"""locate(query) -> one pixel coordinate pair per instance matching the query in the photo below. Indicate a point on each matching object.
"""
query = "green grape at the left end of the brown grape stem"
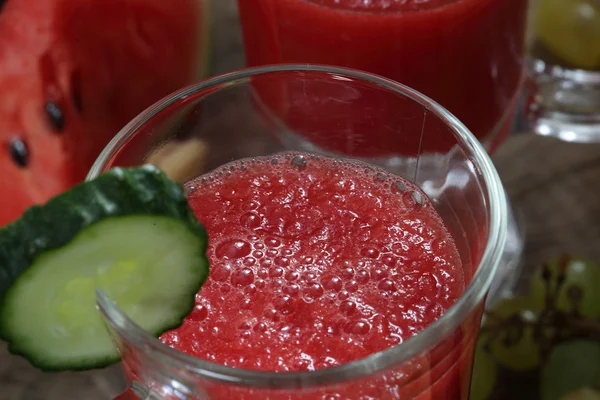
(514, 347)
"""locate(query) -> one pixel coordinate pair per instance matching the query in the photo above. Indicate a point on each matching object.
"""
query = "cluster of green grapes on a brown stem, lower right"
(548, 339)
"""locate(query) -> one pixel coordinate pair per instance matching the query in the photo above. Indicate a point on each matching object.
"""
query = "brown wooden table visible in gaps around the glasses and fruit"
(554, 186)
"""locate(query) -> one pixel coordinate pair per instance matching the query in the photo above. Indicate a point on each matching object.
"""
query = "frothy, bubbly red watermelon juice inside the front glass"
(317, 262)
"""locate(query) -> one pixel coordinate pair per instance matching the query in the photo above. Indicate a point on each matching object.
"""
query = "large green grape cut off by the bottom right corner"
(571, 366)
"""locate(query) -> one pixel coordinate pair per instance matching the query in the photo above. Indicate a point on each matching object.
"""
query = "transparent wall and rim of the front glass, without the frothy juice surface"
(222, 119)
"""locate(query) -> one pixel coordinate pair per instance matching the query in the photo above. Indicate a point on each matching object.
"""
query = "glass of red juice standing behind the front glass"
(468, 55)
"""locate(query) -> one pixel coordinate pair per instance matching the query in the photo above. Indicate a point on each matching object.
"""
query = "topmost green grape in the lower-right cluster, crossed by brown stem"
(582, 280)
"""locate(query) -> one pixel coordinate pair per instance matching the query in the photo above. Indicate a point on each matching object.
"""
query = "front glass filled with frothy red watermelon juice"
(331, 277)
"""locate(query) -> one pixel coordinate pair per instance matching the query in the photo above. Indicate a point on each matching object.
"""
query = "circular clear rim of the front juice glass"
(473, 295)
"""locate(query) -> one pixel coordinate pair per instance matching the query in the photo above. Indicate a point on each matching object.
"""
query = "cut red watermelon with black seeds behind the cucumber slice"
(74, 72)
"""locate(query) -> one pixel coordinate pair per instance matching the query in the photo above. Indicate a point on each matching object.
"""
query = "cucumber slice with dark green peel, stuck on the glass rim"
(131, 233)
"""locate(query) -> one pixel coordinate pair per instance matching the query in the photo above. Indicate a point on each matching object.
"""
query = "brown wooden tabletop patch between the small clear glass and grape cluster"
(555, 189)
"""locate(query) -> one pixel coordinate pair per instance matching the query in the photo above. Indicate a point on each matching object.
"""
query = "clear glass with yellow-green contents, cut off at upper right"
(564, 69)
